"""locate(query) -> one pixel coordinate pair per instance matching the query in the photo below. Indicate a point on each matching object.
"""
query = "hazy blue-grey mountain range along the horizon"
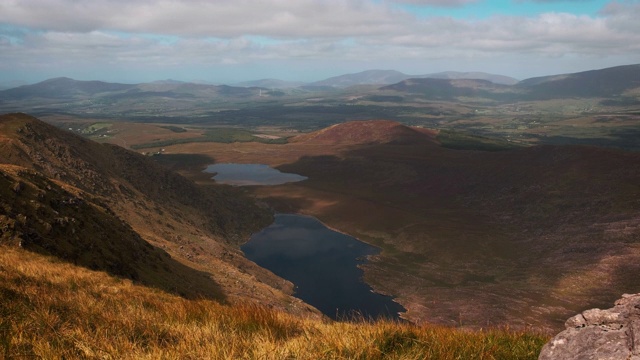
(616, 85)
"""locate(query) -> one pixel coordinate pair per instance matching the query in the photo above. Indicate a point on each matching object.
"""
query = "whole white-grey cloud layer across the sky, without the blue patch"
(172, 33)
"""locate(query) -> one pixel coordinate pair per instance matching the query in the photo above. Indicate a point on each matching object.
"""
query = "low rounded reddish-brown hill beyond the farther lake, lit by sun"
(367, 132)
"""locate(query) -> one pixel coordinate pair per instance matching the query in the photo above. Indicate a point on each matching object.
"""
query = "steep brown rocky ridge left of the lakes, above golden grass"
(110, 209)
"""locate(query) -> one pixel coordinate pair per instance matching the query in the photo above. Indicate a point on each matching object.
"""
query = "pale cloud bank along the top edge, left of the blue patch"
(222, 18)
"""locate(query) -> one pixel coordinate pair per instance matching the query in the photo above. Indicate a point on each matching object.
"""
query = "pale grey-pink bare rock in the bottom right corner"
(610, 334)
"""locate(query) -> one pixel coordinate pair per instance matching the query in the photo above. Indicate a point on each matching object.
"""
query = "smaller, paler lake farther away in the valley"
(250, 174)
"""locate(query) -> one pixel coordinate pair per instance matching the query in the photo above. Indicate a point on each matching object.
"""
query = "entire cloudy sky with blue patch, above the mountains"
(228, 41)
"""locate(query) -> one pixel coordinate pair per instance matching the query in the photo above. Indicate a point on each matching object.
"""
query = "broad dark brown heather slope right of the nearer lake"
(522, 236)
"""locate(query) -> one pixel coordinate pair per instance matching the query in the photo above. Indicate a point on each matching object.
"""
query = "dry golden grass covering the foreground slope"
(54, 310)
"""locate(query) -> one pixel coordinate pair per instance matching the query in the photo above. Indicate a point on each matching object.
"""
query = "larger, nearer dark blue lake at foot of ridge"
(323, 264)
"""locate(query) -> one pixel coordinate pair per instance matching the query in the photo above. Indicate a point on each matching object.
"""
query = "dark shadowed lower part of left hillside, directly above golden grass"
(40, 216)
